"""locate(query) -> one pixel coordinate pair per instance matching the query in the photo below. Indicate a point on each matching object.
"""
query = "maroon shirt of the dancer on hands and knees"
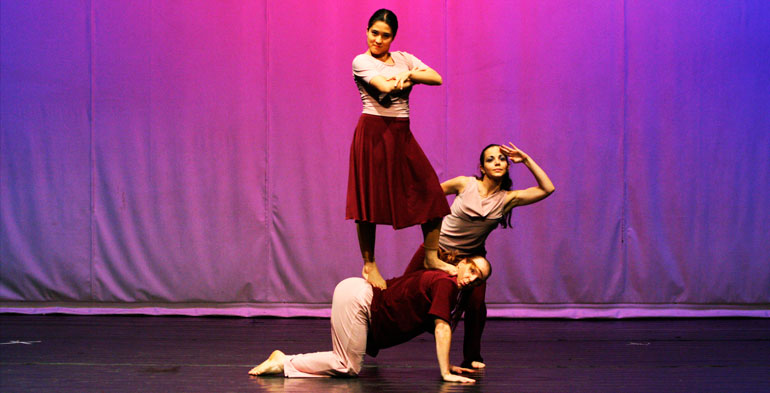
(409, 307)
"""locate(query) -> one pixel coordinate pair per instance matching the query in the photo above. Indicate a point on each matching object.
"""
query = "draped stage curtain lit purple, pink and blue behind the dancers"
(191, 157)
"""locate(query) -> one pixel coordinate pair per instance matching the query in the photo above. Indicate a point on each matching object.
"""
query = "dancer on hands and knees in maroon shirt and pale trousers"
(366, 319)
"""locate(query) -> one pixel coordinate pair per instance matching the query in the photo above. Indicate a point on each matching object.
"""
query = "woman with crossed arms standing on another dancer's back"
(390, 180)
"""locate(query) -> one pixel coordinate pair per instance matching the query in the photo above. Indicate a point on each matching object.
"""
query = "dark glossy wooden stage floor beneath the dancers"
(64, 353)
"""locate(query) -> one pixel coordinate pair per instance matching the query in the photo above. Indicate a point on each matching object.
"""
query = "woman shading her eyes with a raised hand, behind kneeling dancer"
(481, 205)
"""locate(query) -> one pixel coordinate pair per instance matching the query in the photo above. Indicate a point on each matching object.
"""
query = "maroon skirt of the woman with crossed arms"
(391, 180)
